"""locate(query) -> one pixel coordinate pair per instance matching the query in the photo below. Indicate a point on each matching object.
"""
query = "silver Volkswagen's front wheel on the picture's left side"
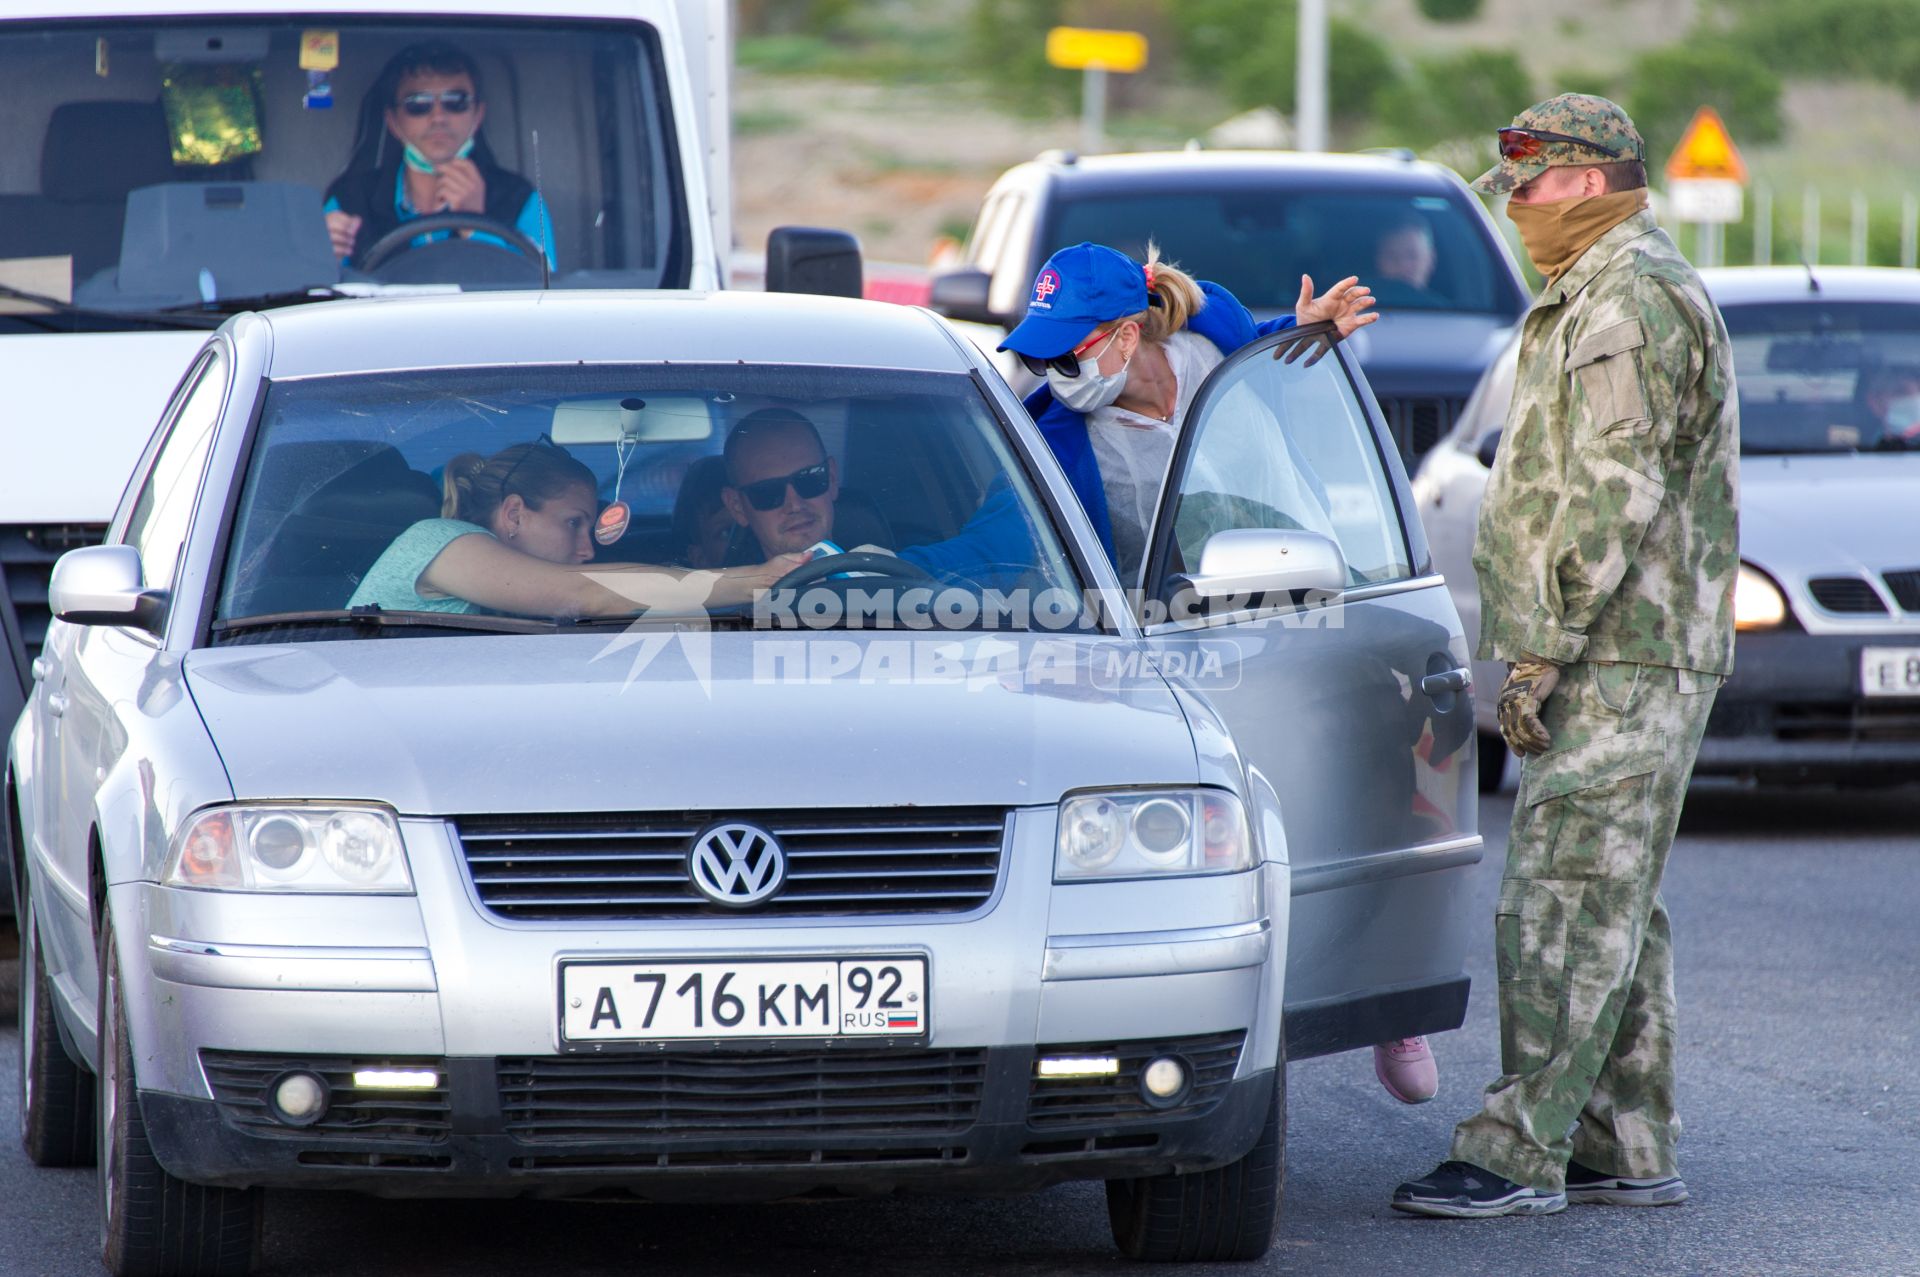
(153, 1224)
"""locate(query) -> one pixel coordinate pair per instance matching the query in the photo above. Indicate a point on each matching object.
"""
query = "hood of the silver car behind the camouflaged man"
(1823, 516)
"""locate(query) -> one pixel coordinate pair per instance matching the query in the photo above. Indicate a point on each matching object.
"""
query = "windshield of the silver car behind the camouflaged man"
(1823, 377)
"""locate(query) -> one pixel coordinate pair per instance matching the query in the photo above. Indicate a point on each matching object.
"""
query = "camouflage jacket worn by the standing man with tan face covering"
(1610, 523)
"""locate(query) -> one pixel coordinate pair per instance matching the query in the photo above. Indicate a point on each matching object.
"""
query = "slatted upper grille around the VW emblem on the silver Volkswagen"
(635, 867)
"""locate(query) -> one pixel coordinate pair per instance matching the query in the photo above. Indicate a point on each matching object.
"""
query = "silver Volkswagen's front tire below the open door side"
(1224, 1215)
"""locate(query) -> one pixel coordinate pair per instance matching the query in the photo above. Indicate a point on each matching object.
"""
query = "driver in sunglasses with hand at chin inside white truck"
(421, 153)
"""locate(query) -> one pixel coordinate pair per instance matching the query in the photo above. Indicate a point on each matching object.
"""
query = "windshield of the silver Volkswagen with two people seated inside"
(358, 483)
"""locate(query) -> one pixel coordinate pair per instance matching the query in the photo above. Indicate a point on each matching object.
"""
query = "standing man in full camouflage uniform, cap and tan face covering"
(1606, 556)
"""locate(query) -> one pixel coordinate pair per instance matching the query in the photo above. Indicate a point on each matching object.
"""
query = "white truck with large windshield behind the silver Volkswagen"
(172, 162)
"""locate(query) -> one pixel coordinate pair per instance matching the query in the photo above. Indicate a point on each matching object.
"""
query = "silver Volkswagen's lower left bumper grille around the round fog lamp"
(241, 1082)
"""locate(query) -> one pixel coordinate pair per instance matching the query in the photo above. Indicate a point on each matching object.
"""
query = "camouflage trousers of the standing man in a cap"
(1581, 938)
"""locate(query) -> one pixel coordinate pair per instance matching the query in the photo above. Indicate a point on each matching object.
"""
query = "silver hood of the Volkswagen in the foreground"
(552, 723)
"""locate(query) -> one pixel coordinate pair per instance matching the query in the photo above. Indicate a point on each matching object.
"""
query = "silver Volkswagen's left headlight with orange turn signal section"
(291, 850)
